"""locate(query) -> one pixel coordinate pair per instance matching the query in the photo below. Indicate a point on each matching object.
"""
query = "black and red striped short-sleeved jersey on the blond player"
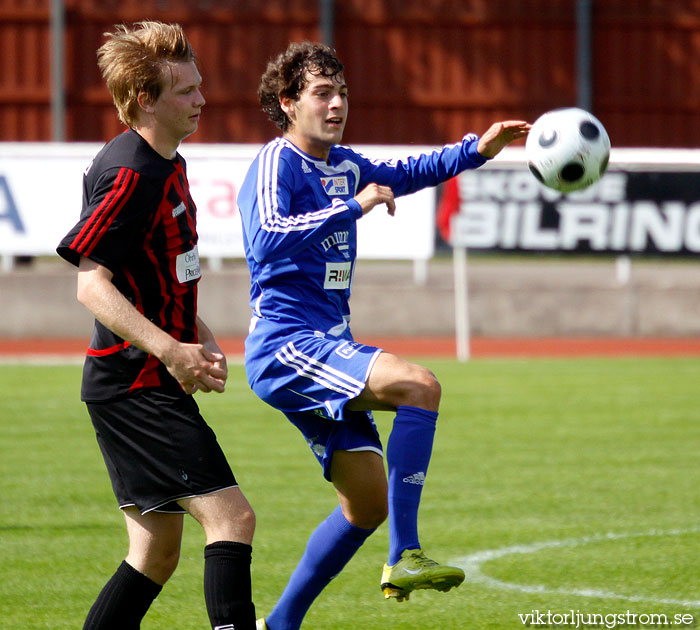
(138, 220)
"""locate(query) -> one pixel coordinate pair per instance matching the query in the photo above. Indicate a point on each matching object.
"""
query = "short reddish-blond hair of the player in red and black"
(136, 59)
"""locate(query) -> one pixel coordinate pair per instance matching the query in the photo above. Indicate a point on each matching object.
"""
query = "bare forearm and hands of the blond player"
(192, 365)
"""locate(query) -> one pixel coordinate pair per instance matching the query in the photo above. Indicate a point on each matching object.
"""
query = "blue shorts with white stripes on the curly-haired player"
(311, 378)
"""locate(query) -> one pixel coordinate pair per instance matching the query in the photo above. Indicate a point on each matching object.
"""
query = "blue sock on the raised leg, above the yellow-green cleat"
(408, 455)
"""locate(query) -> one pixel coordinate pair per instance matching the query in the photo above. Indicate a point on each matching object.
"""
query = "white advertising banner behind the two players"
(41, 188)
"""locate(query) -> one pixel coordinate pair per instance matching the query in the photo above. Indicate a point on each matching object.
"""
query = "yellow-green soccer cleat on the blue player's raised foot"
(416, 571)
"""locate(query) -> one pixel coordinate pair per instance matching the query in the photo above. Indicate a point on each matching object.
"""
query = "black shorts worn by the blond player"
(158, 449)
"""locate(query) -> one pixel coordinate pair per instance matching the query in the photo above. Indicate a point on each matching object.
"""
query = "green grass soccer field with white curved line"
(579, 480)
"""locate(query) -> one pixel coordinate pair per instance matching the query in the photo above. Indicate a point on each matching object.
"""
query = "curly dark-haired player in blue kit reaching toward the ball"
(300, 203)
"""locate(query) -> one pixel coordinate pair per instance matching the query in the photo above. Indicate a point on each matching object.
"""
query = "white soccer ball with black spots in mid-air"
(567, 149)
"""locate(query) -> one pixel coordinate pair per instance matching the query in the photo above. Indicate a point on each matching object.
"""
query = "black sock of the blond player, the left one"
(123, 601)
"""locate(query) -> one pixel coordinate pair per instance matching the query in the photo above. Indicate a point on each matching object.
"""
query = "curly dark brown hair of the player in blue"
(286, 76)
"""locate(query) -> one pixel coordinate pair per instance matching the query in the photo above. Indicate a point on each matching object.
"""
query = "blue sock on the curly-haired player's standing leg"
(329, 549)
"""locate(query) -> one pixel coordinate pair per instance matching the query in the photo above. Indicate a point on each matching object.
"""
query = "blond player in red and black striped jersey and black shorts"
(136, 248)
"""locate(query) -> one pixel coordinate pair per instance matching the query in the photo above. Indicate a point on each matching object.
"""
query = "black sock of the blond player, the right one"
(227, 589)
